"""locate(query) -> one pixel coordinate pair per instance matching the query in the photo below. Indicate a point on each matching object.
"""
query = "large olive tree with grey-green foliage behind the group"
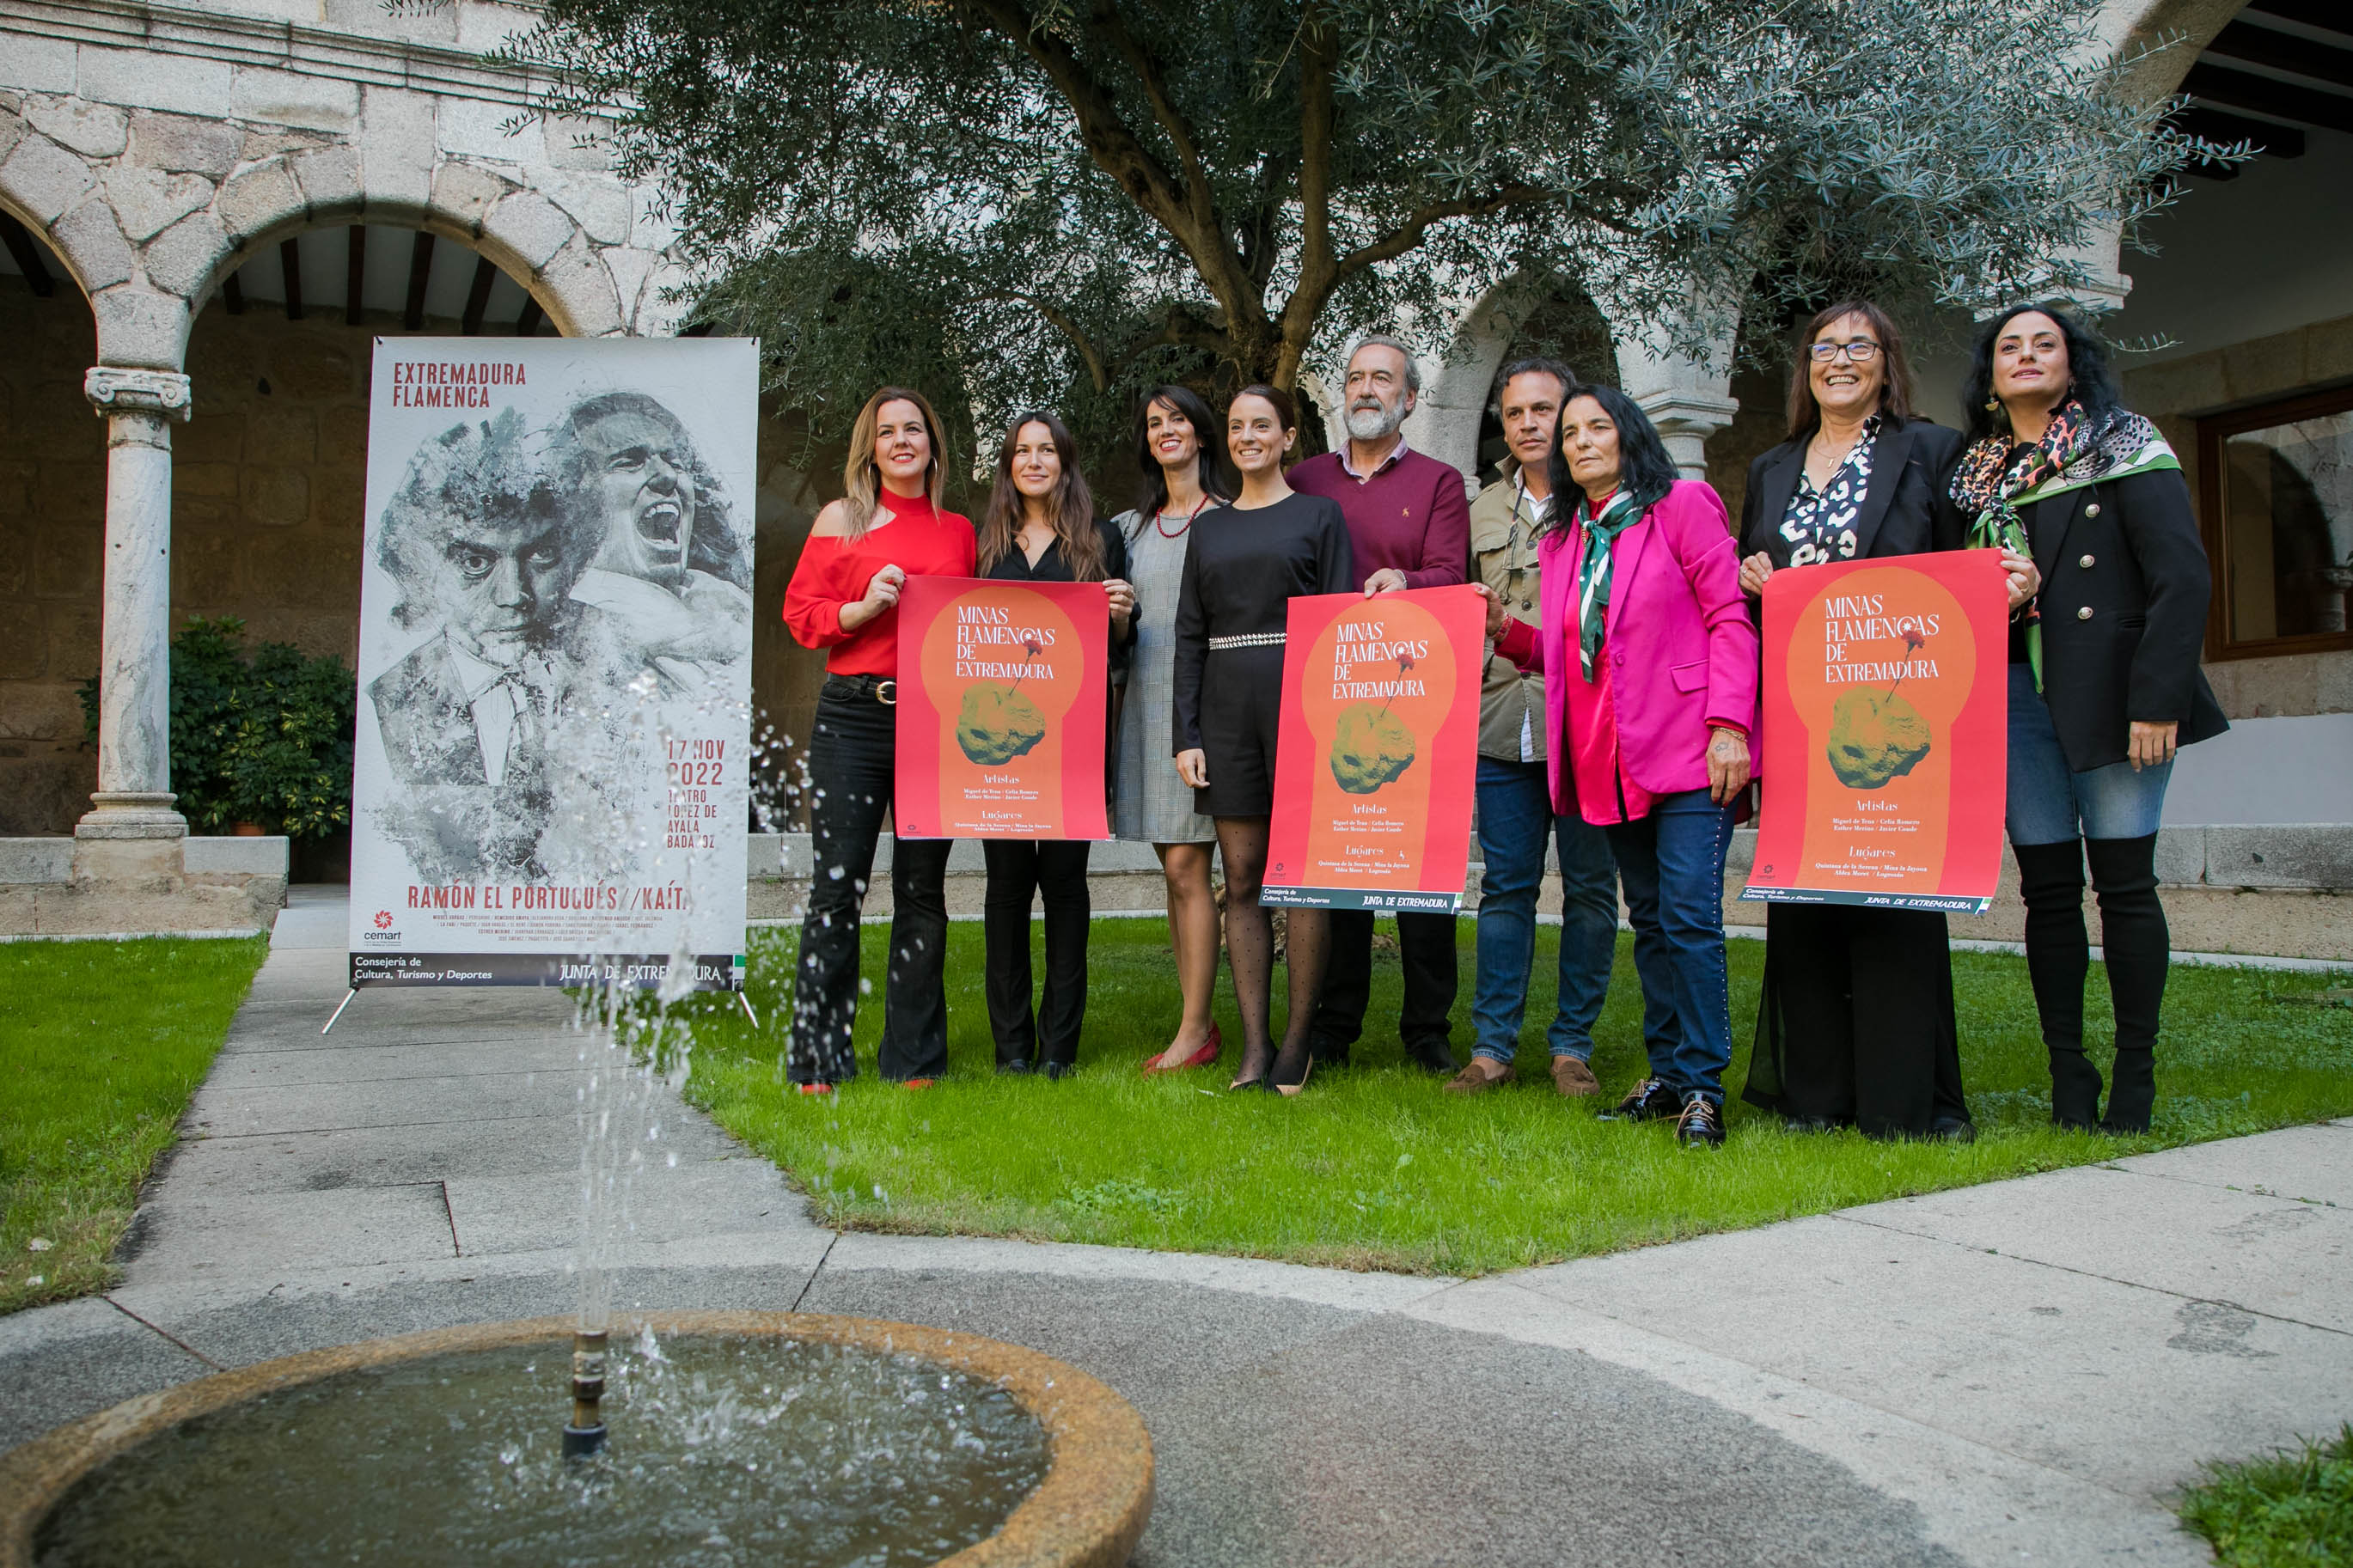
(1065, 199)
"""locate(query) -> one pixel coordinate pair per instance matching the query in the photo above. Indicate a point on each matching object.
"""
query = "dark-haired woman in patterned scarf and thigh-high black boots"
(2105, 678)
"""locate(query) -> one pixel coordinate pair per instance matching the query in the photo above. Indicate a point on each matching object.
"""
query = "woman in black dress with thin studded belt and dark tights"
(1241, 572)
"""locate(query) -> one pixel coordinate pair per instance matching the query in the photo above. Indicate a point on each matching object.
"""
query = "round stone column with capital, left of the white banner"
(135, 669)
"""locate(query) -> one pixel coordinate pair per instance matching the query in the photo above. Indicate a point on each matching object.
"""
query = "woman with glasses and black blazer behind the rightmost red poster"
(1858, 1014)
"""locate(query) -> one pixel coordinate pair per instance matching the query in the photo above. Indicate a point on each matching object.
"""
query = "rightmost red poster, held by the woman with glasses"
(1886, 735)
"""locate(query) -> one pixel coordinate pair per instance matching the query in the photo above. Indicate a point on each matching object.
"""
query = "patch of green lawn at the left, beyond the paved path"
(100, 1050)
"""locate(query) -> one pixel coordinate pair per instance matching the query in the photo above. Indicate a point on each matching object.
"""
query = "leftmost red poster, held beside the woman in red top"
(1004, 711)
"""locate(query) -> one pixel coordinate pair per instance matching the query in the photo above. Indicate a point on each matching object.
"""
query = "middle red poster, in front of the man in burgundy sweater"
(1378, 751)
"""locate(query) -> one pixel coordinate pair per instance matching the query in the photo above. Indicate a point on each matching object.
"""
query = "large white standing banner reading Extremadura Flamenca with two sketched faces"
(554, 737)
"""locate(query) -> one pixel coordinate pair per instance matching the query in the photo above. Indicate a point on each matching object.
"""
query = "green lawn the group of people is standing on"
(1380, 1170)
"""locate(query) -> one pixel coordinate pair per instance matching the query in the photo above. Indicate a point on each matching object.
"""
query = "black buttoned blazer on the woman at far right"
(2126, 596)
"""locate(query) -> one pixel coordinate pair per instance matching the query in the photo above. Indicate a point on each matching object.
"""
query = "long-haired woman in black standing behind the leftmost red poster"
(1041, 528)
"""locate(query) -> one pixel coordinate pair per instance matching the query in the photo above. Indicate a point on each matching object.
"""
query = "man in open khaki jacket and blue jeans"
(1514, 796)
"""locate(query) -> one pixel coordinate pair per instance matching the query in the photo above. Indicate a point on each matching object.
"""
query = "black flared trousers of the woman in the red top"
(851, 772)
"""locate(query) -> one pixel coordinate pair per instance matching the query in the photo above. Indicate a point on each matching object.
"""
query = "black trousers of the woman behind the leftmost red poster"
(1020, 869)
